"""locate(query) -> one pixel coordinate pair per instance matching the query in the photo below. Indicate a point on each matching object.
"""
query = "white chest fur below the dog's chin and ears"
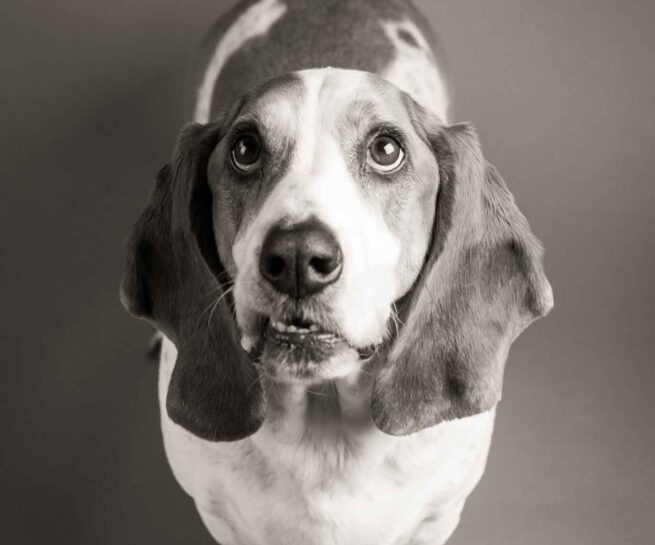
(309, 478)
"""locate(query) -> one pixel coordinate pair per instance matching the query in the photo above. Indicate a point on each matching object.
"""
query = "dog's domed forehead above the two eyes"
(326, 97)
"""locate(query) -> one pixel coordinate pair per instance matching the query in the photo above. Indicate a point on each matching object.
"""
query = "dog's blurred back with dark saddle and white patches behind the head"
(260, 39)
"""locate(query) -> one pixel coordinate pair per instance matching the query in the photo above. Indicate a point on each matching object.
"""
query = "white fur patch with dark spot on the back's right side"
(414, 68)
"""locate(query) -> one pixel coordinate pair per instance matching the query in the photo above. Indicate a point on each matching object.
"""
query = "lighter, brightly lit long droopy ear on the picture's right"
(481, 285)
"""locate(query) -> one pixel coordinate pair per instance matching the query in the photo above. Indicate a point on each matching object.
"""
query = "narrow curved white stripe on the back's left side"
(253, 22)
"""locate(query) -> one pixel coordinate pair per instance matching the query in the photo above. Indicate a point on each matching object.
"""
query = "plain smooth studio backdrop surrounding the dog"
(93, 95)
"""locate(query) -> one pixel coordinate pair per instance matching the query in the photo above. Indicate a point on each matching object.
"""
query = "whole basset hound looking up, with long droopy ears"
(337, 275)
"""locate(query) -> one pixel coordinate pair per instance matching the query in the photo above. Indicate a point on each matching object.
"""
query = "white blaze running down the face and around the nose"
(318, 183)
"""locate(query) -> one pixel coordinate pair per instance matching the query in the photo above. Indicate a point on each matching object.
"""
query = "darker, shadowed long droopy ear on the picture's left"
(173, 276)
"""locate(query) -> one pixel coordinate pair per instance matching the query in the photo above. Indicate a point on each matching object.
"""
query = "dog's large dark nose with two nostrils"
(300, 259)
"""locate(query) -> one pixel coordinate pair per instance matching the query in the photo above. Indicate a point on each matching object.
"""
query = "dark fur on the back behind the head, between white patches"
(311, 35)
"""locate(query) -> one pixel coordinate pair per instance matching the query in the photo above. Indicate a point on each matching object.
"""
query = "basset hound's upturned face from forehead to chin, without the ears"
(324, 188)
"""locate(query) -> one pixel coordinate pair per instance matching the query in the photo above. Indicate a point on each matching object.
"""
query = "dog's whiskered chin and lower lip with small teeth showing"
(303, 353)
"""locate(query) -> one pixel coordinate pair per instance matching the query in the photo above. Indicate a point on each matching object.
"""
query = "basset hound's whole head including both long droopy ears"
(325, 216)
